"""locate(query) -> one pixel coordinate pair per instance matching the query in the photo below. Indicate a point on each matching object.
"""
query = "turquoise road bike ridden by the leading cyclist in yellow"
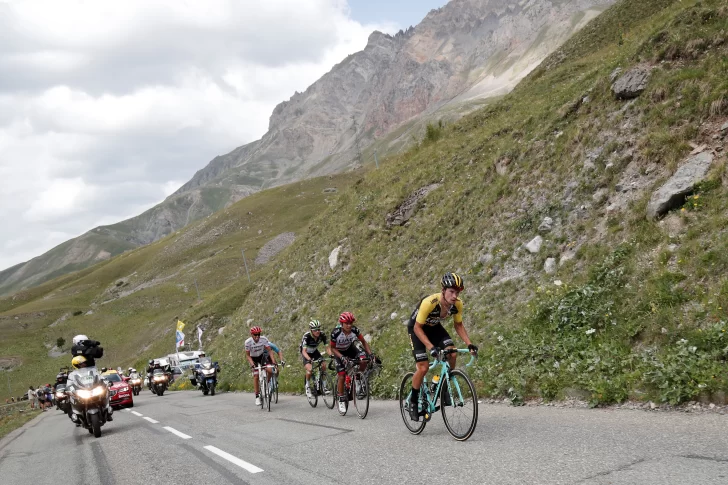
(455, 392)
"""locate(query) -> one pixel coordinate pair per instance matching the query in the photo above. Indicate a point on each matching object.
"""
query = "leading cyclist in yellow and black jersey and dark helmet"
(427, 334)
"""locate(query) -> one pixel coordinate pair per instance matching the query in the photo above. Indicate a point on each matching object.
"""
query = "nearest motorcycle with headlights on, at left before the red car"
(89, 401)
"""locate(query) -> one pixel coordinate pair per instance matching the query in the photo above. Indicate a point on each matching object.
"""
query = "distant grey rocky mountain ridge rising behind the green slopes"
(464, 51)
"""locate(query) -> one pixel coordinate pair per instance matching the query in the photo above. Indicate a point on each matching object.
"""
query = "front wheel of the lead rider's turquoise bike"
(459, 405)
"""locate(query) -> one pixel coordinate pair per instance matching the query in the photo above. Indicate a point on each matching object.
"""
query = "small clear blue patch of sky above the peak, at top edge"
(402, 12)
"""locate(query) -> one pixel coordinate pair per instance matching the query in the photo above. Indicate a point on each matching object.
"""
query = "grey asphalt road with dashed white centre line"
(187, 438)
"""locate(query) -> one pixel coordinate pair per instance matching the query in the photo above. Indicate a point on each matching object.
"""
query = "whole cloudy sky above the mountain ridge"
(107, 107)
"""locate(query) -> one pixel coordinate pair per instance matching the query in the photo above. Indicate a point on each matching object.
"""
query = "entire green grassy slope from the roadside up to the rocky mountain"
(634, 309)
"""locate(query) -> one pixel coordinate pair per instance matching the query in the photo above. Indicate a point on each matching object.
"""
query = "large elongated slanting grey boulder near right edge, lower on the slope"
(672, 193)
